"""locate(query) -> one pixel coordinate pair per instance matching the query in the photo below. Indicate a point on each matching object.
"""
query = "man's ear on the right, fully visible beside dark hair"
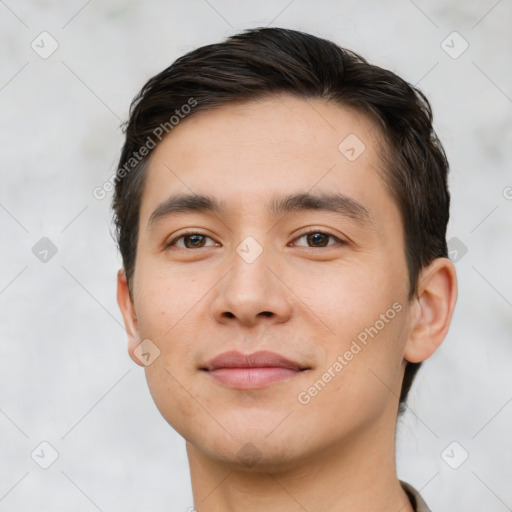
(433, 304)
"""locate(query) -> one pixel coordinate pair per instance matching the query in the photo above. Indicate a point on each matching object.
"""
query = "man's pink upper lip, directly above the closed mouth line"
(261, 359)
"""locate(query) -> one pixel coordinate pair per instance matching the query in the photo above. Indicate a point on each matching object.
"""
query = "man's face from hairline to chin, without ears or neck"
(324, 288)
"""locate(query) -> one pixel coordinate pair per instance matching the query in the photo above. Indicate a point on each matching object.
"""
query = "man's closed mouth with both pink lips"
(251, 371)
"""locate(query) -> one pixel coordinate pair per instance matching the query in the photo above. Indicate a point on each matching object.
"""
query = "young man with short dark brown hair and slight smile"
(281, 209)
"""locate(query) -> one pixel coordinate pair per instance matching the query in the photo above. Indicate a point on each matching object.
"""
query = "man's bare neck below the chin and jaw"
(358, 474)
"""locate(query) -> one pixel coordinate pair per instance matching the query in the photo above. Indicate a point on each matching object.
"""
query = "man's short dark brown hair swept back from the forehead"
(264, 61)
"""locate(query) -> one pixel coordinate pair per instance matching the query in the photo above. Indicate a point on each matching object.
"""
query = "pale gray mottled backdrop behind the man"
(66, 377)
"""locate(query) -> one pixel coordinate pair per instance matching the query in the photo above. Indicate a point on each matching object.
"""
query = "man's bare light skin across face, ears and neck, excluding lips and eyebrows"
(304, 297)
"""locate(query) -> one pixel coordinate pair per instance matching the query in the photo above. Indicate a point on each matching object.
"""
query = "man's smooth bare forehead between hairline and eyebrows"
(246, 152)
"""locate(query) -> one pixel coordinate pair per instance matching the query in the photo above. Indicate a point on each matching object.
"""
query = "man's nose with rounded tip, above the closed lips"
(252, 293)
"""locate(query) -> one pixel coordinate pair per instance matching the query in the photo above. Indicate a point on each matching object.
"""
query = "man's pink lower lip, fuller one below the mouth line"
(251, 378)
